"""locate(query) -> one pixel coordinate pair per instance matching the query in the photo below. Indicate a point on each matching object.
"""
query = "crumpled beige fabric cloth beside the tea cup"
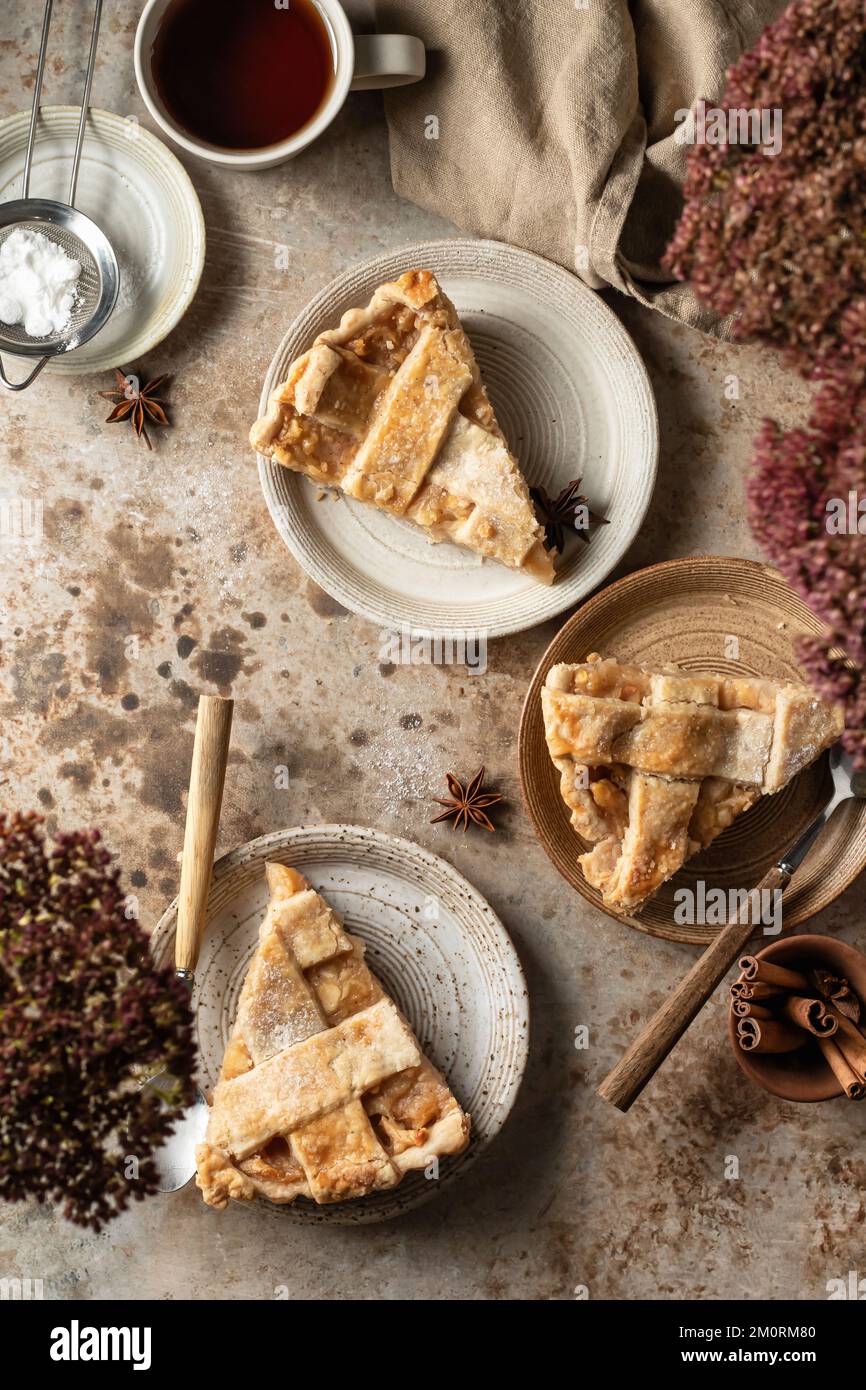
(555, 123)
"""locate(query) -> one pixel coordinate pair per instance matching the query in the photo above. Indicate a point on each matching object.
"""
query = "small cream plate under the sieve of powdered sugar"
(138, 193)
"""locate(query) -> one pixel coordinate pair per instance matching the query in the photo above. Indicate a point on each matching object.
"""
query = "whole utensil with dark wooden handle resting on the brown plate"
(625, 1084)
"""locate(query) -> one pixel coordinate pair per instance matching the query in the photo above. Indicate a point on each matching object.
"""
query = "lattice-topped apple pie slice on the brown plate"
(654, 765)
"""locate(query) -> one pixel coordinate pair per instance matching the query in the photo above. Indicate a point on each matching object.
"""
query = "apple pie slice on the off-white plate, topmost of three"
(391, 408)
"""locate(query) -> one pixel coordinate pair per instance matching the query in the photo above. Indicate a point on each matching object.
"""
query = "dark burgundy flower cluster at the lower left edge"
(81, 1006)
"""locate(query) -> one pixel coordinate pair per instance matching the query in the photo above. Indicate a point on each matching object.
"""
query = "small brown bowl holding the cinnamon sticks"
(803, 1075)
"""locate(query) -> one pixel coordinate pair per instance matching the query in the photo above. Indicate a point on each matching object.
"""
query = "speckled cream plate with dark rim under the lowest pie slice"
(432, 939)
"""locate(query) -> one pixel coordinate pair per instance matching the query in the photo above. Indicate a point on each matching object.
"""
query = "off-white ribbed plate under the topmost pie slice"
(573, 400)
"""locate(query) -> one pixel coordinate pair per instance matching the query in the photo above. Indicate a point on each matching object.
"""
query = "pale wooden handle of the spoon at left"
(206, 779)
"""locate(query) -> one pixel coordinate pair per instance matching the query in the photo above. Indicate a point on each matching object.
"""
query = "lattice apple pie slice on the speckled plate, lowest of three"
(325, 1092)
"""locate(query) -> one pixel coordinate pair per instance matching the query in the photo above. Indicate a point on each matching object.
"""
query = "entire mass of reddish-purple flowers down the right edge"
(779, 243)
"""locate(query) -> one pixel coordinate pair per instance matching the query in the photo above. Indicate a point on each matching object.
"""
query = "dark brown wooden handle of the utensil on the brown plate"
(625, 1084)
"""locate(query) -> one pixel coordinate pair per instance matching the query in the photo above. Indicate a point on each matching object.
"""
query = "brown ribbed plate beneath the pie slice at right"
(697, 614)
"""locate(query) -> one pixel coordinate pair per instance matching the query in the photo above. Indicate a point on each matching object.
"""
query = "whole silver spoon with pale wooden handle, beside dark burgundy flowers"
(176, 1159)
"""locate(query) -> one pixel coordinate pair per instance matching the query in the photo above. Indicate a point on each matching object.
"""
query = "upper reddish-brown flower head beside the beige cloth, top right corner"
(779, 241)
